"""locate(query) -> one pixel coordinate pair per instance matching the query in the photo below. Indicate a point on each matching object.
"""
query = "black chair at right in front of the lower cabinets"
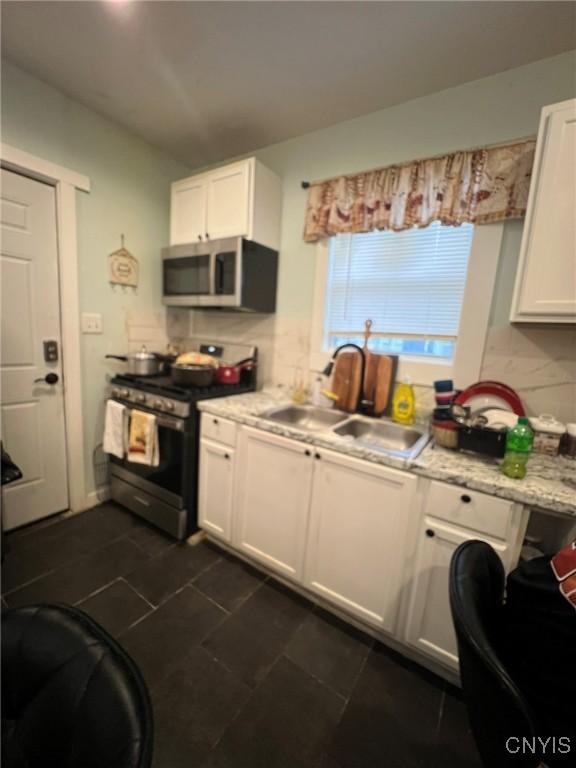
(496, 708)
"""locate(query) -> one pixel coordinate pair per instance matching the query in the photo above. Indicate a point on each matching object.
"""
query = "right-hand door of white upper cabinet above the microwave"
(228, 201)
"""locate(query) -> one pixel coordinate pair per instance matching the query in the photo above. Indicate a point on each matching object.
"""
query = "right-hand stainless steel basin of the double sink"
(385, 436)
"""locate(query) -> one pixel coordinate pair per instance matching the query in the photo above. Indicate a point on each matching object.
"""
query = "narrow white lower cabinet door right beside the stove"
(215, 492)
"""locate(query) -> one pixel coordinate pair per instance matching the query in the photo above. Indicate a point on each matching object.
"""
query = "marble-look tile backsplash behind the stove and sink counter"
(540, 363)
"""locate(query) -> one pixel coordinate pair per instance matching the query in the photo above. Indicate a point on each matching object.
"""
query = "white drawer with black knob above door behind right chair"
(469, 509)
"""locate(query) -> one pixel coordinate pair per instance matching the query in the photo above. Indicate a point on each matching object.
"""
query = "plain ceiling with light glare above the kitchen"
(209, 80)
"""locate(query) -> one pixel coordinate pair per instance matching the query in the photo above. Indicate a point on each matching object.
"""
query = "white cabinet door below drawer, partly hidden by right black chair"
(430, 627)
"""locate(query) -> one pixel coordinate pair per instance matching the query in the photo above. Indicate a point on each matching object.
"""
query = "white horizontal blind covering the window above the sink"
(409, 283)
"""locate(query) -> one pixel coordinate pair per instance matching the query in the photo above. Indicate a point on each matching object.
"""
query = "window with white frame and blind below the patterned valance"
(427, 291)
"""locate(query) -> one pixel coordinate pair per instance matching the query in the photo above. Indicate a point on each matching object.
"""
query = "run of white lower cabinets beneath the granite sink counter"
(374, 542)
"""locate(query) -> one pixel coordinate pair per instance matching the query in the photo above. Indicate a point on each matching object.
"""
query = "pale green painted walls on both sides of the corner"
(130, 184)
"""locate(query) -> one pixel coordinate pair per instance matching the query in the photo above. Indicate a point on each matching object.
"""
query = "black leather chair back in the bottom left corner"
(71, 696)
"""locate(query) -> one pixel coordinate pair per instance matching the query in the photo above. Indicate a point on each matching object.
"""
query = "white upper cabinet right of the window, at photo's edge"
(545, 290)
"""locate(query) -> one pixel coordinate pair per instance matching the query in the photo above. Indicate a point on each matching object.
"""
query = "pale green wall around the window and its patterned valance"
(495, 109)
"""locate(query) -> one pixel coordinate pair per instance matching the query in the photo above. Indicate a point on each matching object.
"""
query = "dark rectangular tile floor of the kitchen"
(242, 672)
